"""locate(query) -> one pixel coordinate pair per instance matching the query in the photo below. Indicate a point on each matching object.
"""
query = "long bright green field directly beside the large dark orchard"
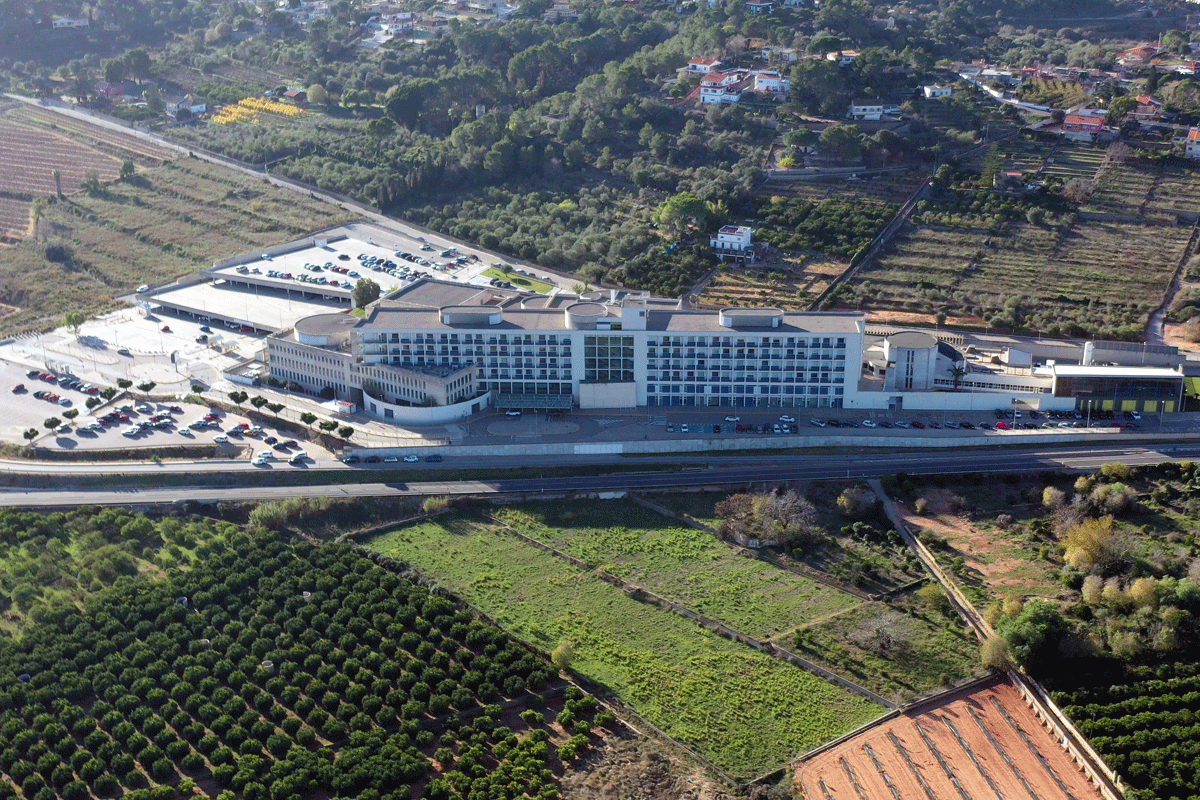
(746, 712)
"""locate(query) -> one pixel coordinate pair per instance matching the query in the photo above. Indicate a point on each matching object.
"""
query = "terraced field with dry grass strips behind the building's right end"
(1055, 280)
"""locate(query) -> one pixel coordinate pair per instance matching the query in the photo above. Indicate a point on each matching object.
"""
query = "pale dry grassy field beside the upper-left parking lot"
(165, 222)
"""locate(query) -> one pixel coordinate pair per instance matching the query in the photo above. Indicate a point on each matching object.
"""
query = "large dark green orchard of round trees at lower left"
(274, 671)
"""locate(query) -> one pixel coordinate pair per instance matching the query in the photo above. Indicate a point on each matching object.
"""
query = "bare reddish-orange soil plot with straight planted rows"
(962, 749)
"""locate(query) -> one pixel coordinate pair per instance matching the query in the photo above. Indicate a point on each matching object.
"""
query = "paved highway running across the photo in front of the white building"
(698, 472)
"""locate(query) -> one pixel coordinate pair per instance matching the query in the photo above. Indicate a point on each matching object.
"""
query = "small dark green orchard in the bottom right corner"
(1145, 721)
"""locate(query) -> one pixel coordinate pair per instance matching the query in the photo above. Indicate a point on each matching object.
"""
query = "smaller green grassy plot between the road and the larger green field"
(681, 563)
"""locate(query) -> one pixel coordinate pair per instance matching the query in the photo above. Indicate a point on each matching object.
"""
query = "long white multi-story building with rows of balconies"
(410, 363)
